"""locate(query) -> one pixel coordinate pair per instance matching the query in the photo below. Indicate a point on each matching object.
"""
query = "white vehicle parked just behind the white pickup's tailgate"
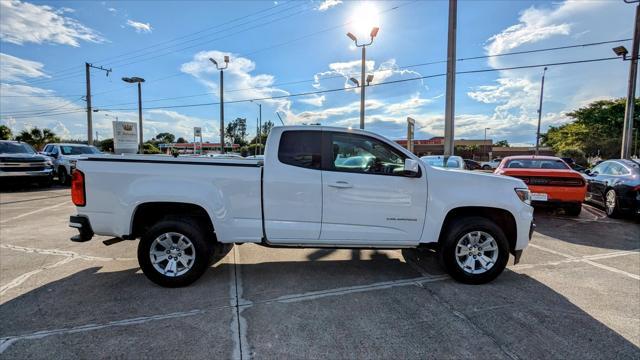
(65, 156)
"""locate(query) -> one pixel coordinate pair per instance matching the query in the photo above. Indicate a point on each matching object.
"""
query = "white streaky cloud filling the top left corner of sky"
(23, 22)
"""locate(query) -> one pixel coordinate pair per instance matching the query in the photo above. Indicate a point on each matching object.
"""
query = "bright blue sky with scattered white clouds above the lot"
(289, 47)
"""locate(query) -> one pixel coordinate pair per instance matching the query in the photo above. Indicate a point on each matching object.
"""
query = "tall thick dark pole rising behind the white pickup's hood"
(449, 111)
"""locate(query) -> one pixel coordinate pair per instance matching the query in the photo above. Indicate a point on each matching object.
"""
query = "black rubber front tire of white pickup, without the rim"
(459, 228)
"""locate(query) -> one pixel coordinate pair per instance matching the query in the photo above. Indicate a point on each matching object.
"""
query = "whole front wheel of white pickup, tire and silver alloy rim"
(474, 250)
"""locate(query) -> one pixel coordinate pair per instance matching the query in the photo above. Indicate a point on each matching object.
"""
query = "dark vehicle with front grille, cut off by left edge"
(20, 164)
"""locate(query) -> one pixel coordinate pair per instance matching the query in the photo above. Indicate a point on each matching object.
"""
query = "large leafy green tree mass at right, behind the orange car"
(596, 129)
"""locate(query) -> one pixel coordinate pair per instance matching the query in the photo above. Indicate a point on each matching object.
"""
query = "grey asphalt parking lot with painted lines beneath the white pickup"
(576, 294)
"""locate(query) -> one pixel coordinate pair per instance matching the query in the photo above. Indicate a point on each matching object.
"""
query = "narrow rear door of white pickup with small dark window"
(292, 188)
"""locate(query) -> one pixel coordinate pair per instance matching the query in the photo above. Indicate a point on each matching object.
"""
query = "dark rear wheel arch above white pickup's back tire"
(148, 213)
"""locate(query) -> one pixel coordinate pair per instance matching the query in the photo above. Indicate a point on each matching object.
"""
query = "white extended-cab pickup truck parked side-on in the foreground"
(316, 187)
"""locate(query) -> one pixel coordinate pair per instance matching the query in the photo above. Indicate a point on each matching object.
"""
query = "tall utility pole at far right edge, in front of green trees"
(627, 130)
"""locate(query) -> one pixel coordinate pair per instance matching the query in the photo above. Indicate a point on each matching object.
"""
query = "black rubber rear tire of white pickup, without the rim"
(202, 249)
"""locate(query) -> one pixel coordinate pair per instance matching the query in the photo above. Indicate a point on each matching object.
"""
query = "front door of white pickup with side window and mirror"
(367, 199)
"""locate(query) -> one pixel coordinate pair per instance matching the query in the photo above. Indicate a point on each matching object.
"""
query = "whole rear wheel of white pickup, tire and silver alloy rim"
(174, 253)
